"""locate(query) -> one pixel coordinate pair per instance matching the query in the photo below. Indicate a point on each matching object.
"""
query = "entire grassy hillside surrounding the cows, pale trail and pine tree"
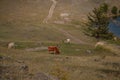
(21, 21)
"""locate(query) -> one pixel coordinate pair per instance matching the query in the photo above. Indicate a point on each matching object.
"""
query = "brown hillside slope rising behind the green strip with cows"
(22, 20)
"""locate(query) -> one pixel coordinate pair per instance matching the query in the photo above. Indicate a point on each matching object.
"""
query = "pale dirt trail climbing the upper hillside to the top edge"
(51, 11)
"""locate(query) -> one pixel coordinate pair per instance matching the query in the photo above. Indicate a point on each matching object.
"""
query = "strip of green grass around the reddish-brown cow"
(65, 48)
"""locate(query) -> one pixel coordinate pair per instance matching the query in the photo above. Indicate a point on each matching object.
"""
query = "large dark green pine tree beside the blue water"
(98, 23)
